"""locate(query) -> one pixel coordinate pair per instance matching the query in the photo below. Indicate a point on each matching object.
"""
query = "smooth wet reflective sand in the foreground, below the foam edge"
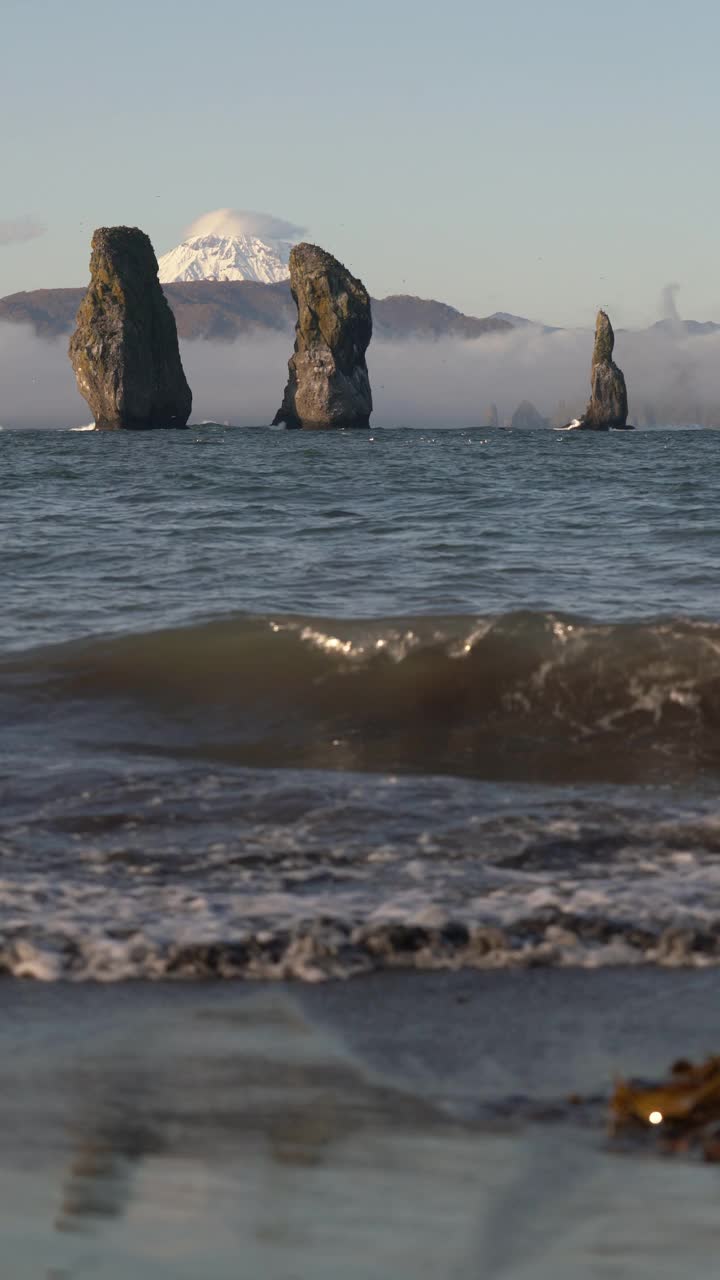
(402, 1126)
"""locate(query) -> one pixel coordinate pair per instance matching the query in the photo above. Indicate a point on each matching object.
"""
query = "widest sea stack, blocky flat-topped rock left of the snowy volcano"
(125, 350)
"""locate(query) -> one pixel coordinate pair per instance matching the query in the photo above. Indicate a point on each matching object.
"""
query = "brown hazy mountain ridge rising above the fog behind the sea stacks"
(224, 310)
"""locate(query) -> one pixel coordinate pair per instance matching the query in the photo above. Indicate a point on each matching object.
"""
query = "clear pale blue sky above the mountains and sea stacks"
(543, 158)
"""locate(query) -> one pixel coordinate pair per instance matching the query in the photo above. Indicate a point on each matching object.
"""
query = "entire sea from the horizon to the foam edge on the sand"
(303, 705)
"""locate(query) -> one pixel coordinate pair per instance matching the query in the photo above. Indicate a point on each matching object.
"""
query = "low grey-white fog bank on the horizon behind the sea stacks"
(672, 378)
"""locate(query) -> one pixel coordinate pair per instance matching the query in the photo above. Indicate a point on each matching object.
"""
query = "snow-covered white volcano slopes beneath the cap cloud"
(227, 258)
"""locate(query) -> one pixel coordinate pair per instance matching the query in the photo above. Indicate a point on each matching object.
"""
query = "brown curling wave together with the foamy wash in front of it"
(299, 798)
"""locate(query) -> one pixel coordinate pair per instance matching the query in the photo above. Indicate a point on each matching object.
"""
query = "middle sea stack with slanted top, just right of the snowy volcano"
(329, 383)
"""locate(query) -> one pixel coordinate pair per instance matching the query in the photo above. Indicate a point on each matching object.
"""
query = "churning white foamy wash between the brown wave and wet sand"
(312, 895)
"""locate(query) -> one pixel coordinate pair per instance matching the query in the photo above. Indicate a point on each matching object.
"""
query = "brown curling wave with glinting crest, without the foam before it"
(536, 697)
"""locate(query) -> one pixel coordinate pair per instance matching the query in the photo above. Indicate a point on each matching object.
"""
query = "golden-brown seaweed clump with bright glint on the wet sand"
(683, 1110)
